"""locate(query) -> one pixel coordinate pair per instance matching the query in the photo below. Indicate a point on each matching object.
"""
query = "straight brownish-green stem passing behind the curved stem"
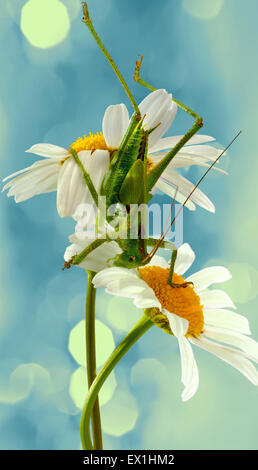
(91, 358)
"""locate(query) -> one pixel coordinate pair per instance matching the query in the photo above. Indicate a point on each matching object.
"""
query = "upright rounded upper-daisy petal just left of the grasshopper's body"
(115, 123)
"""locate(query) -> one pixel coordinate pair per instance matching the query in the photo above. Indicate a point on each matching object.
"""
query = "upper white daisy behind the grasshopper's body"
(59, 172)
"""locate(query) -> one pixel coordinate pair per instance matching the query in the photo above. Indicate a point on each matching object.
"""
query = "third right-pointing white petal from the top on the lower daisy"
(226, 319)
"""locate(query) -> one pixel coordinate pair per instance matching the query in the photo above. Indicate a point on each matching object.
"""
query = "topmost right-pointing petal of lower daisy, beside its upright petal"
(204, 278)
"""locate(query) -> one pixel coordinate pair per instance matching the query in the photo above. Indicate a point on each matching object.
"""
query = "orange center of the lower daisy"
(182, 301)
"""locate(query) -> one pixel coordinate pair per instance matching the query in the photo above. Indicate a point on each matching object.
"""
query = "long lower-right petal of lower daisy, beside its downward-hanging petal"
(232, 357)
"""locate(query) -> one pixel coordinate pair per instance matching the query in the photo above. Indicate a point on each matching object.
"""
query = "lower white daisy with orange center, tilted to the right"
(194, 314)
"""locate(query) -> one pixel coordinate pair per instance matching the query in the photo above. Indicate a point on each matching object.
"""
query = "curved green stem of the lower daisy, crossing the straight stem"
(140, 328)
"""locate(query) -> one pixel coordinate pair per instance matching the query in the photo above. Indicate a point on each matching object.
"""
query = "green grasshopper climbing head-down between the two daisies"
(126, 181)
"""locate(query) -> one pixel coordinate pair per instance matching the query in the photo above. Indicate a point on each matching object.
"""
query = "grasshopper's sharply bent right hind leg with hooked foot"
(158, 169)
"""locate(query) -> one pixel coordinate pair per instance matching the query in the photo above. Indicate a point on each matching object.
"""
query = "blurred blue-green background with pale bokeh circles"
(205, 52)
